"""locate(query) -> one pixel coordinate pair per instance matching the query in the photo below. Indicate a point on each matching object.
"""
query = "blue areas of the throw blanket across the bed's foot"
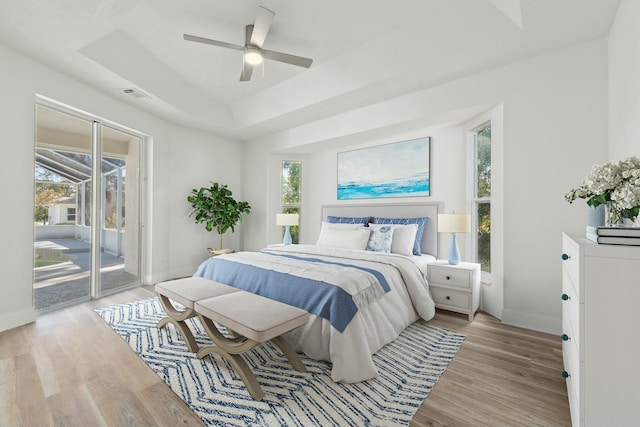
(320, 298)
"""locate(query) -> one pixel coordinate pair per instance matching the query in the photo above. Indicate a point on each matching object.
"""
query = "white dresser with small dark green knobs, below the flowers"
(601, 332)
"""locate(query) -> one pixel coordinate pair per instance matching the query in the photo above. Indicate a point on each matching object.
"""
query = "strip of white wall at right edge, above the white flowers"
(624, 82)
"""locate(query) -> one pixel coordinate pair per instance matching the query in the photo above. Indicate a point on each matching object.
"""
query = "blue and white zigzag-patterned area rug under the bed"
(409, 369)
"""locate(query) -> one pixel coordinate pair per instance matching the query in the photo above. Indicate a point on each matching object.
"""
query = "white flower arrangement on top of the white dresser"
(616, 185)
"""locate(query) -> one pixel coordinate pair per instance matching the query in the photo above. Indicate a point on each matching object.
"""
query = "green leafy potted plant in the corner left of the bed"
(217, 209)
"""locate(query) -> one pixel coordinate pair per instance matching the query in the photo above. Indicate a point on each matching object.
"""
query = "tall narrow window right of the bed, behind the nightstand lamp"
(481, 197)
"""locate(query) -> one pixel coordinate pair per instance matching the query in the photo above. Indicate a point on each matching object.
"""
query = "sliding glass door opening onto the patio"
(87, 200)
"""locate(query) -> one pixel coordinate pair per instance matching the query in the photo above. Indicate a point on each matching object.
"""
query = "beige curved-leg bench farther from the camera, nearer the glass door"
(186, 292)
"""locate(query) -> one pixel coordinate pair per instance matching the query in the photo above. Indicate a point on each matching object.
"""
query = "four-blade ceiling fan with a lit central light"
(253, 51)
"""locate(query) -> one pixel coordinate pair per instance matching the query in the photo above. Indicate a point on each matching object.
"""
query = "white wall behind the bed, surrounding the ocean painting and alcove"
(555, 128)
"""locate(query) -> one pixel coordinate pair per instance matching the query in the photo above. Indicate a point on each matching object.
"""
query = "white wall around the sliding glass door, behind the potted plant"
(182, 159)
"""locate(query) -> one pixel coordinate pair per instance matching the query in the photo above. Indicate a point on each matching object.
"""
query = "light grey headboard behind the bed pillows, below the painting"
(430, 238)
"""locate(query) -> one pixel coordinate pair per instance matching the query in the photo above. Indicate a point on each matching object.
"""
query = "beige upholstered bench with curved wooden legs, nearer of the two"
(253, 319)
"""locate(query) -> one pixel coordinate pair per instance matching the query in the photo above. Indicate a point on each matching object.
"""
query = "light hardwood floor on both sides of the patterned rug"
(70, 369)
